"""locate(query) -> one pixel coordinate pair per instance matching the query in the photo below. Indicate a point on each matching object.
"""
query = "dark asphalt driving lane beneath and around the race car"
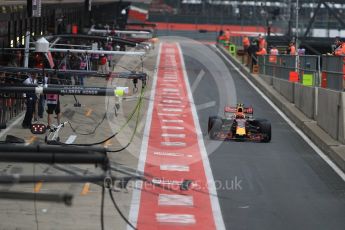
(283, 184)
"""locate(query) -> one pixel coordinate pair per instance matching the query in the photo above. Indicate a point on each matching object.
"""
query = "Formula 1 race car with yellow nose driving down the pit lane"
(238, 124)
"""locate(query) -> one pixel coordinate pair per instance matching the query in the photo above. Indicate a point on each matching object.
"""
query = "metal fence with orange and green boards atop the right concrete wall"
(309, 70)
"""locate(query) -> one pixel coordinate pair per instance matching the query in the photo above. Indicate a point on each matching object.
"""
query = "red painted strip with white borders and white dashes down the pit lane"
(173, 151)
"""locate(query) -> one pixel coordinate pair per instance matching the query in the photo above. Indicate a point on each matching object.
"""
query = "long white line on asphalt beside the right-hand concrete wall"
(298, 130)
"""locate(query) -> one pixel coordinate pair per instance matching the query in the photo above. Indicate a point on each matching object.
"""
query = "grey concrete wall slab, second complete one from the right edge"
(304, 98)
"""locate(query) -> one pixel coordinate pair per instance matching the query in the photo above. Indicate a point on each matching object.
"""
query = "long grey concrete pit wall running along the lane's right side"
(319, 112)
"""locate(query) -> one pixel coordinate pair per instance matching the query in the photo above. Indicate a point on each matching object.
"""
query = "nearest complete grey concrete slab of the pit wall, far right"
(328, 111)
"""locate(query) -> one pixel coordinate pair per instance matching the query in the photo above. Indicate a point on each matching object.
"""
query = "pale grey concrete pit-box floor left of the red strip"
(85, 211)
